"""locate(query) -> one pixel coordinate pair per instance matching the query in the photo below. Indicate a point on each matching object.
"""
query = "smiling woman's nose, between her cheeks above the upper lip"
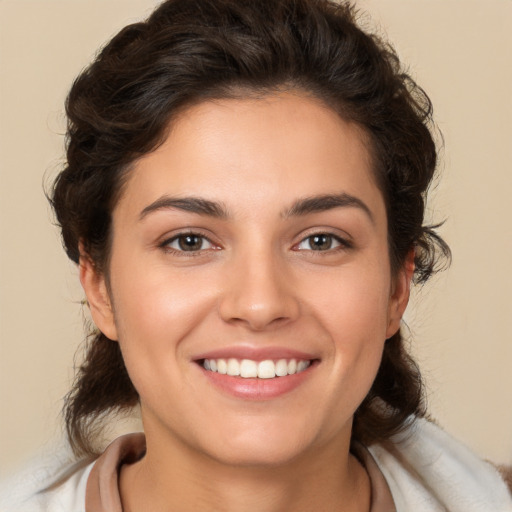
(258, 293)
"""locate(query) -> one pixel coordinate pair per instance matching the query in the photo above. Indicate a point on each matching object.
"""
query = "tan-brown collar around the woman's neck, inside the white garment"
(102, 493)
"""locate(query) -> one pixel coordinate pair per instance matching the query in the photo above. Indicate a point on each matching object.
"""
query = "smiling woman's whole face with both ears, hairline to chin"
(253, 241)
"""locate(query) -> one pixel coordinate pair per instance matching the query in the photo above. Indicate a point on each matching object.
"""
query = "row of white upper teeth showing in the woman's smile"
(247, 368)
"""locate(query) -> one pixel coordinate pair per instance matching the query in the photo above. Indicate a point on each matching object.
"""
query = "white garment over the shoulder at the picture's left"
(53, 481)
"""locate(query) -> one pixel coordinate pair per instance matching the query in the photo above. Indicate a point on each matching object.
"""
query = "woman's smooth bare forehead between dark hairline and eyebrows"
(251, 152)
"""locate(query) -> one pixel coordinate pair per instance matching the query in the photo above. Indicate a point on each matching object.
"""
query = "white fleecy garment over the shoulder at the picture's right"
(428, 470)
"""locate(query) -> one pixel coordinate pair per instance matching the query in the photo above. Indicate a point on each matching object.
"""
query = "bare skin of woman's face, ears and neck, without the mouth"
(255, 282)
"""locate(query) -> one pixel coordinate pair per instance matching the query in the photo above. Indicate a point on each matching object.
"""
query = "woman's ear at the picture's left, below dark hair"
(98, 297)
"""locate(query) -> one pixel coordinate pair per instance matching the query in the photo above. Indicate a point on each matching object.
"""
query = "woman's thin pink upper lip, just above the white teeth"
(255, 353)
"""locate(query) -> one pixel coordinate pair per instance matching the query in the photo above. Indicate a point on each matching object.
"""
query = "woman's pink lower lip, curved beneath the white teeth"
(258, 389)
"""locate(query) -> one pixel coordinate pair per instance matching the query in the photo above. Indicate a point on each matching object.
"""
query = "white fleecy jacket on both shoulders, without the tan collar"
(426, 470)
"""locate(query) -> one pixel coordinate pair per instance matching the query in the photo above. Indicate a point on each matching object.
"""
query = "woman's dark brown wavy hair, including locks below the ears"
(189, 51)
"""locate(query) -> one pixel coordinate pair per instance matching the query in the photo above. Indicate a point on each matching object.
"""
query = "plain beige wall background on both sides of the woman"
(459, 50)
